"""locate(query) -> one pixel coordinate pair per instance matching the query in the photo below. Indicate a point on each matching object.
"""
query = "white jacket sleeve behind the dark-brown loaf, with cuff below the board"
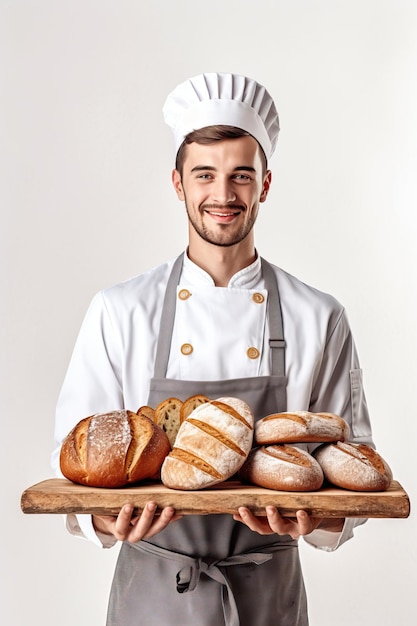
(93, 384)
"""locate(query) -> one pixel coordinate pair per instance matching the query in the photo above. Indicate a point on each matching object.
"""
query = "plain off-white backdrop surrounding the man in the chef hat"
(86, 201)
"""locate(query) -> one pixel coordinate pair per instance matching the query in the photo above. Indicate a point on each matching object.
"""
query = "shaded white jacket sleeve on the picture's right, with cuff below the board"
(338, 388)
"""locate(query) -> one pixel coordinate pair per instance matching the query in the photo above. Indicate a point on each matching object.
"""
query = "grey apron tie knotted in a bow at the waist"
(188, 576)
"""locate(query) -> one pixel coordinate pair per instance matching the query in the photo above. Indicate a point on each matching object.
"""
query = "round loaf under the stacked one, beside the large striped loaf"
(282, 467)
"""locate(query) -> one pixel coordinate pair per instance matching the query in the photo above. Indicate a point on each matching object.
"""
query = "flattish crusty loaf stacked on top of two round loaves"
(300, 427)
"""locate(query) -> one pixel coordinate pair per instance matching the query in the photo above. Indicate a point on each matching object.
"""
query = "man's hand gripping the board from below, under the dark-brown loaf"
(126, 527)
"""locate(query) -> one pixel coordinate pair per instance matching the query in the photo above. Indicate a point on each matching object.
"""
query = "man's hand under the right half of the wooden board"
(302, 525)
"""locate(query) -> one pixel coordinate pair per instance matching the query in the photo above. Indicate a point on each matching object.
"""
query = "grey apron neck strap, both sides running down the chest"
(276, 329)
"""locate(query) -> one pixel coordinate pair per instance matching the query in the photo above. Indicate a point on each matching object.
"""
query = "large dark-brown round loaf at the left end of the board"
(113, 449)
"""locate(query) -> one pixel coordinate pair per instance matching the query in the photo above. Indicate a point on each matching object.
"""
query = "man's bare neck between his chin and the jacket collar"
(222, 262)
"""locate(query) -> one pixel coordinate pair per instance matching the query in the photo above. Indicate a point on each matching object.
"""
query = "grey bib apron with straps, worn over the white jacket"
(210, 570)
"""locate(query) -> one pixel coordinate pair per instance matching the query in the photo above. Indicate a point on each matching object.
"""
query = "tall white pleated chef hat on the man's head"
(226, 99)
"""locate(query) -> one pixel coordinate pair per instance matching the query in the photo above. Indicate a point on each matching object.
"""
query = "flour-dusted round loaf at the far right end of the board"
(354, 466)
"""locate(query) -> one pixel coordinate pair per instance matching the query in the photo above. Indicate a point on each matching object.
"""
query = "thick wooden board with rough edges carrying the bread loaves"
(58, 495)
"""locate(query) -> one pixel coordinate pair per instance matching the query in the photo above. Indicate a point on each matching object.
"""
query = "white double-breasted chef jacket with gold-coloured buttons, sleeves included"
(219, 333)
